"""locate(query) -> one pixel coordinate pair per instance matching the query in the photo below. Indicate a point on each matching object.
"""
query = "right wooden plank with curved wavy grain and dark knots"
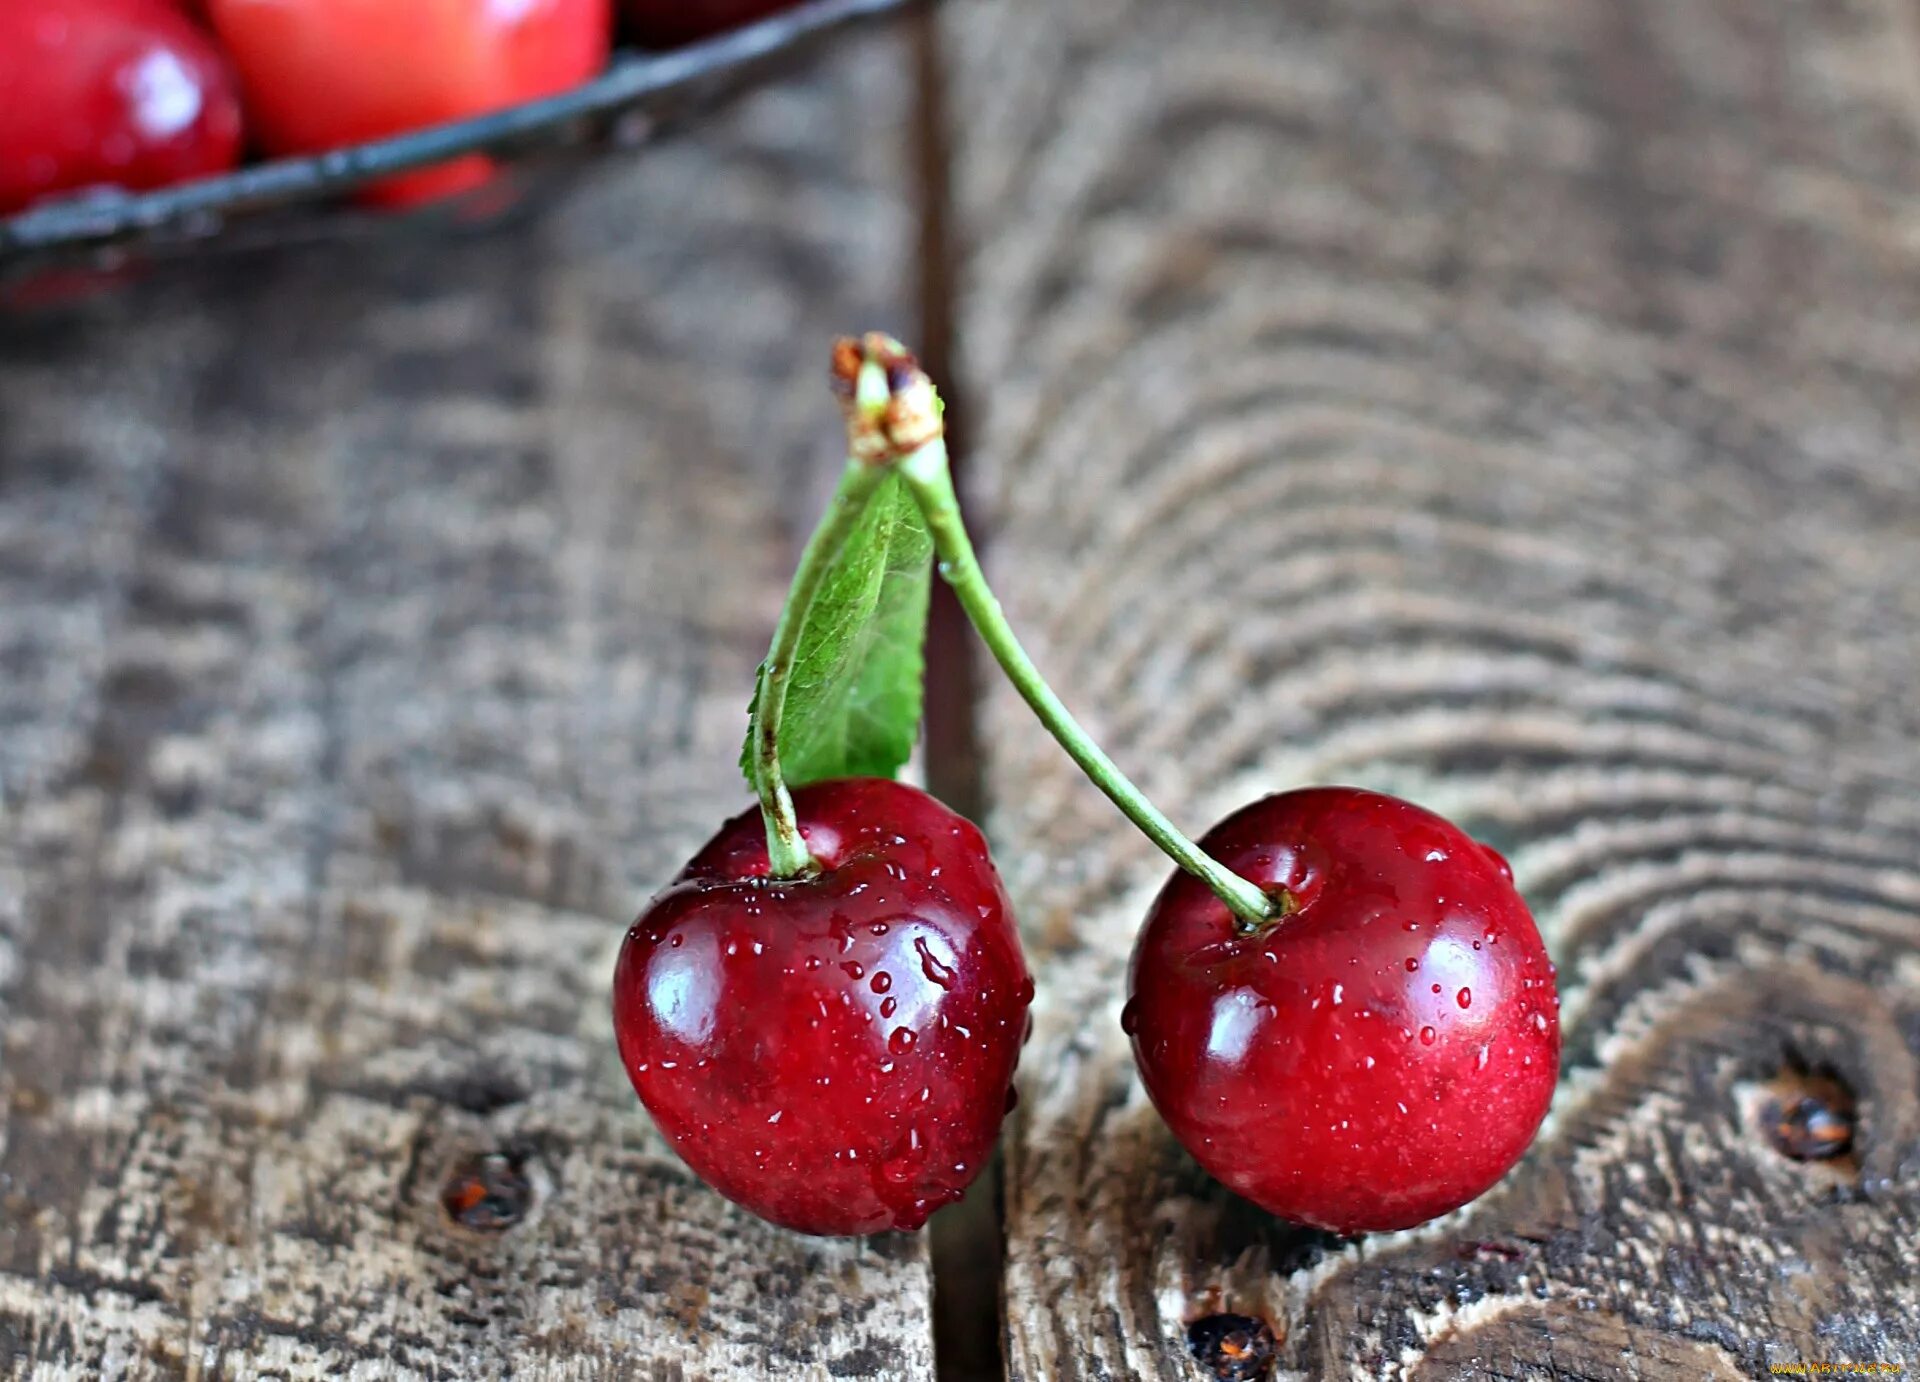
(1512, 406)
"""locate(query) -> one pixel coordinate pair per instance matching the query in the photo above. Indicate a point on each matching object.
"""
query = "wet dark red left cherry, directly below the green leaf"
(834, 1053)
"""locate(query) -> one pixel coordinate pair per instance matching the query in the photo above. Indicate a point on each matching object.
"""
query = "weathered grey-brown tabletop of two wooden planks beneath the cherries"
(1502, 402)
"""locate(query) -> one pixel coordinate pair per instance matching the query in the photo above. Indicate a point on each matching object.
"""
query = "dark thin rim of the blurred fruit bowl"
(306, 199)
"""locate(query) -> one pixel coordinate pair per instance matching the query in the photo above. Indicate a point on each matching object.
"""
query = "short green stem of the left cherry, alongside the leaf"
(786, 851)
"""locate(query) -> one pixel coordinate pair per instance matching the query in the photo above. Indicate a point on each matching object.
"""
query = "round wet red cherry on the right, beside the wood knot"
(1376, 1059)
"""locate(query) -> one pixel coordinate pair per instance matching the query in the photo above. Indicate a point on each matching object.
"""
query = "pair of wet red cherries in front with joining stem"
(1339, 1005)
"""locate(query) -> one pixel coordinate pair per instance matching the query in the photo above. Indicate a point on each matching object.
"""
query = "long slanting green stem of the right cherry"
(930, 479)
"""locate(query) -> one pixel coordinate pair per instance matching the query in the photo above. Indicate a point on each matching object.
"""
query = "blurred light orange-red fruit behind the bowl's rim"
(327, 74)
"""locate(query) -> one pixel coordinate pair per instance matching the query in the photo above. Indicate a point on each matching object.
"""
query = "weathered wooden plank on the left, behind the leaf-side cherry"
(377, 632)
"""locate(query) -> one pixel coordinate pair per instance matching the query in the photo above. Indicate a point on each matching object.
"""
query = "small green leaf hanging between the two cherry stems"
(853, 700)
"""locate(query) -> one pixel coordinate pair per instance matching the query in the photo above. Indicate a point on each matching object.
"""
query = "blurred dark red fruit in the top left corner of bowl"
(108, 93)
